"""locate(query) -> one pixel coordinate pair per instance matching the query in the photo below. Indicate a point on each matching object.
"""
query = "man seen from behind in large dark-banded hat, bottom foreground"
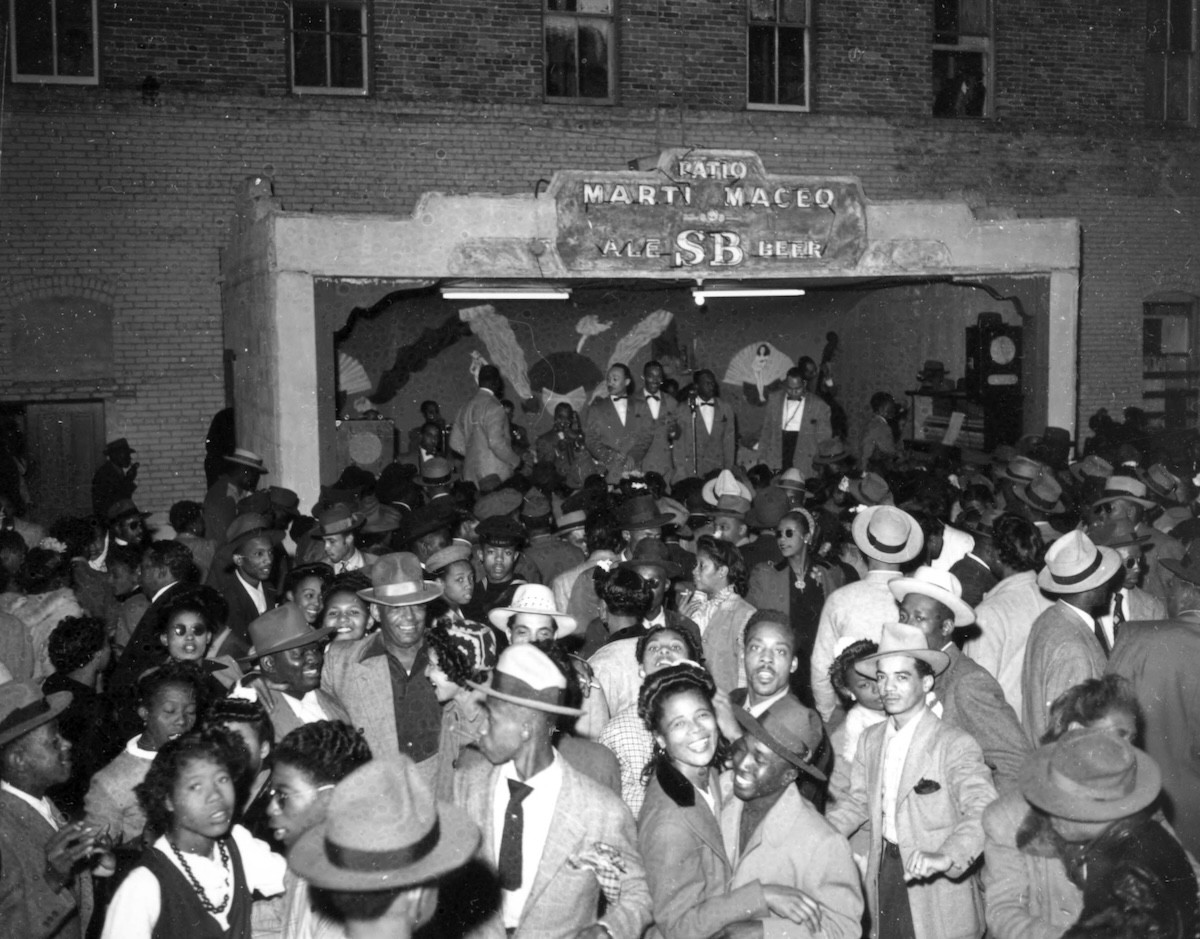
(383, 848)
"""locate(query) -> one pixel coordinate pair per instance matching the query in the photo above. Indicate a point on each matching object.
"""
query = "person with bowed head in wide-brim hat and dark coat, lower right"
(1097, 792)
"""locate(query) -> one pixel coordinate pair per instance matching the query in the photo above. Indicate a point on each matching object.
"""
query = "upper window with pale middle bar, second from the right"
(962, 59)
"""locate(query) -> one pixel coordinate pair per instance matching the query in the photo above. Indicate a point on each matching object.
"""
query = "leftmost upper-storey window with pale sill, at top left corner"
(55, 41)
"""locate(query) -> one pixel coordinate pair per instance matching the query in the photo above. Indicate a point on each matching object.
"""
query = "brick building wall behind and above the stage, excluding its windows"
(119, 192)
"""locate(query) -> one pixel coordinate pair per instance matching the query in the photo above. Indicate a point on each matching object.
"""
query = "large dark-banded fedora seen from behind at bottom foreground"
(383, 830)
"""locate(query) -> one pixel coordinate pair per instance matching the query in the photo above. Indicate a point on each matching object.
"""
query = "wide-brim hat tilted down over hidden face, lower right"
(1090, 775)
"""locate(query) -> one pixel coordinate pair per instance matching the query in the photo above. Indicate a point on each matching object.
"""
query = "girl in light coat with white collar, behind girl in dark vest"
(167, 709)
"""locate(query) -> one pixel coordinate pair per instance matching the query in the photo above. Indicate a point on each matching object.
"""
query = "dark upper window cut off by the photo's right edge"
(1171, 61)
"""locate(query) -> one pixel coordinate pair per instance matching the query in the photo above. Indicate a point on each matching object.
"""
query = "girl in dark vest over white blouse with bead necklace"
(199, 877)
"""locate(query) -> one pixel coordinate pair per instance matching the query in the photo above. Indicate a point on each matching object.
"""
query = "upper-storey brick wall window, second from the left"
(329, 47)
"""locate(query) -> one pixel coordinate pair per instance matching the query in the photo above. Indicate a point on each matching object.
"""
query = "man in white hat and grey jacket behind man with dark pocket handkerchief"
(968, 696)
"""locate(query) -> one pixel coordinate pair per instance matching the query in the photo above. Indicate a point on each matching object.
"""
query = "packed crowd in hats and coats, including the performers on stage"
(610, 685)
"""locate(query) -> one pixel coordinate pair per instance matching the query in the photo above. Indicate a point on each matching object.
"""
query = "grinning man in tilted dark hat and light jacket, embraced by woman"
(773, 835)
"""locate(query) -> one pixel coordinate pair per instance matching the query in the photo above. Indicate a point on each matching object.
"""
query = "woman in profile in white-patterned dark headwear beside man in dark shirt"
(458, 654)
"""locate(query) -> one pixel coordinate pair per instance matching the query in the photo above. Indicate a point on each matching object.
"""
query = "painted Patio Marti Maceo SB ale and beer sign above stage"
(715, 213)
